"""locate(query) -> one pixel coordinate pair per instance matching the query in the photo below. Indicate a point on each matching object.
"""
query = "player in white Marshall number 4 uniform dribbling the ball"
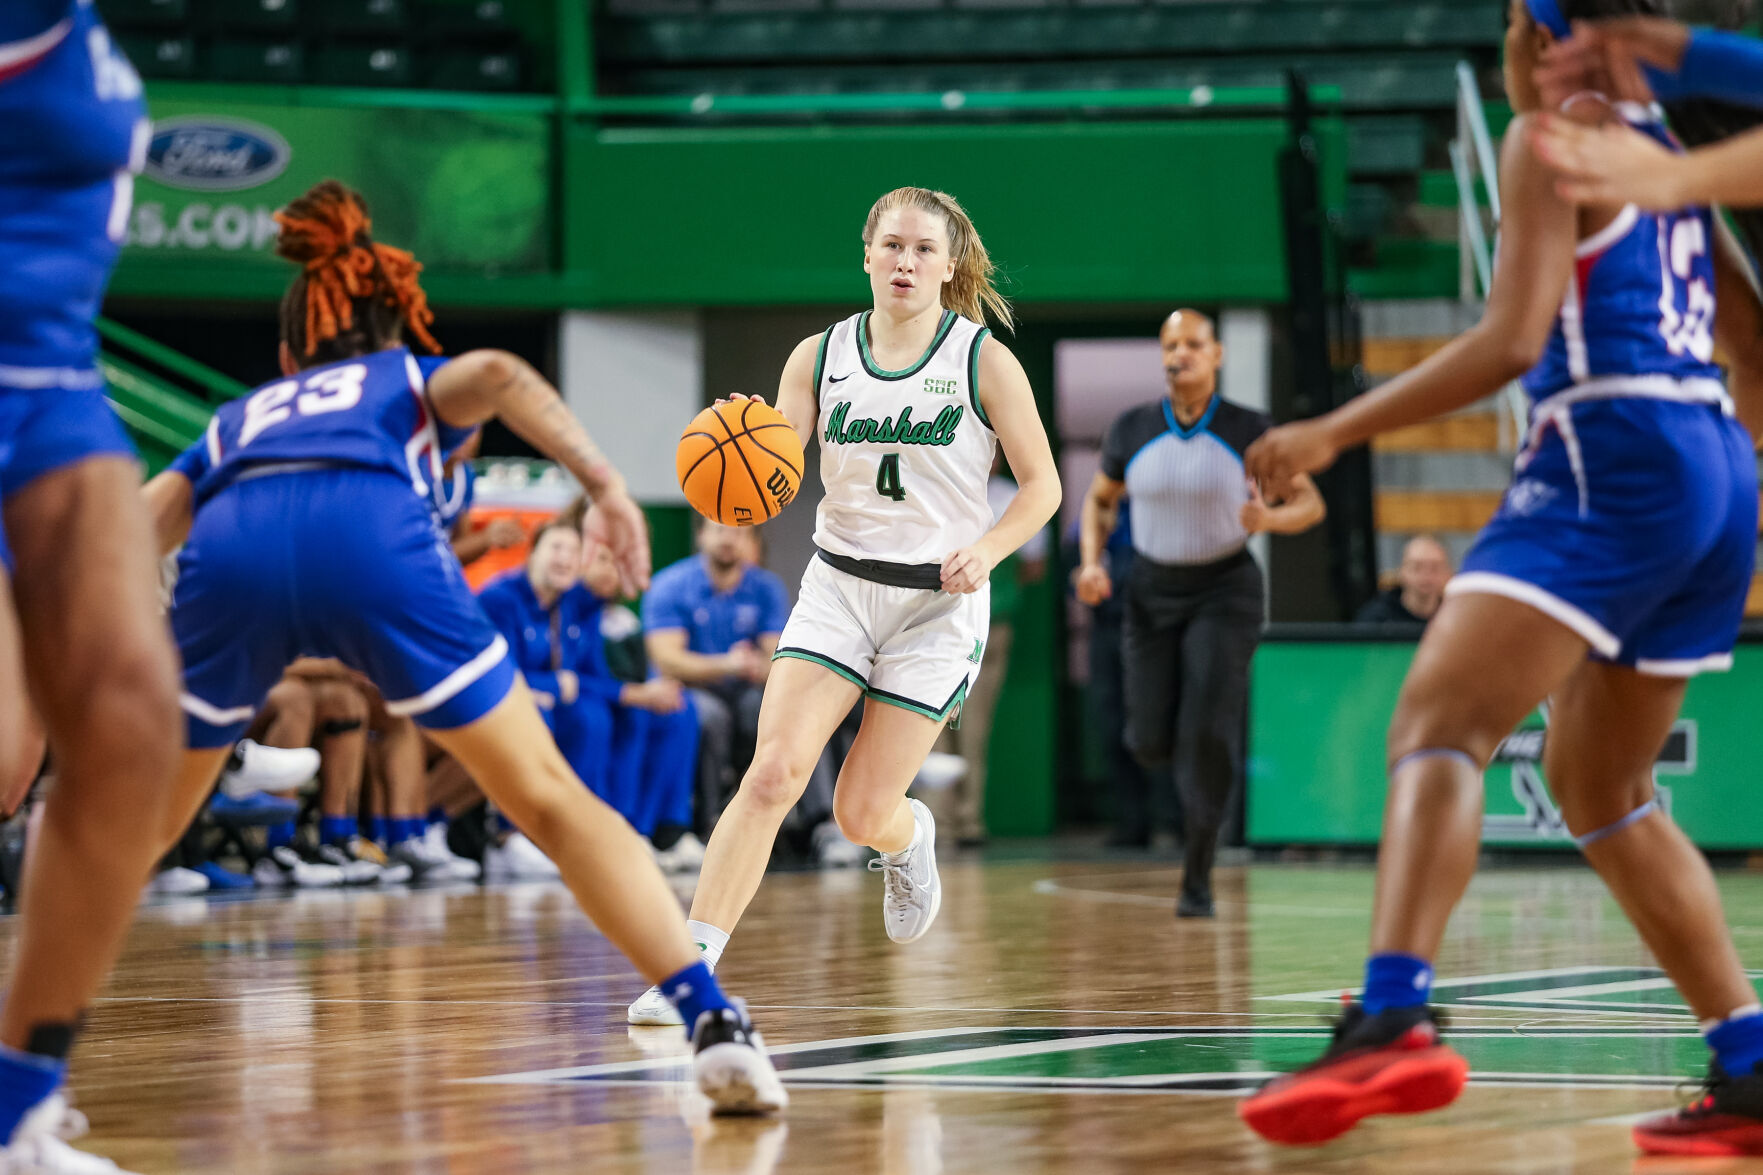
(909, 401)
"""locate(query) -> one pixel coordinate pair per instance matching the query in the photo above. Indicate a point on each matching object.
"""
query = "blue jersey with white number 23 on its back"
(369, 412)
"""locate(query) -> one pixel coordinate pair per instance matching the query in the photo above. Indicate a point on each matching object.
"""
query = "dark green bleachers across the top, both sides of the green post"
(1390, 61)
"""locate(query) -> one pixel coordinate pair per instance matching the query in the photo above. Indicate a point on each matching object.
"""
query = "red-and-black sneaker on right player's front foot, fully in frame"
(1392, 1063)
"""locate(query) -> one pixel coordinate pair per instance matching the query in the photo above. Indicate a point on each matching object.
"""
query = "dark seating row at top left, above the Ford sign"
(454, 45)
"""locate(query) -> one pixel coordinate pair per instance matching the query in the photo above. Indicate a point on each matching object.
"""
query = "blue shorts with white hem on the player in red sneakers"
(1635, 527)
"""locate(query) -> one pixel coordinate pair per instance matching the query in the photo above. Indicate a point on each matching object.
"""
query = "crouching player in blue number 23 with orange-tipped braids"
(311, 479)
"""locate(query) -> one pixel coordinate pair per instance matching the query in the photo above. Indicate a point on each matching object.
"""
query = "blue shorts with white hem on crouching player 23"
(338, 562)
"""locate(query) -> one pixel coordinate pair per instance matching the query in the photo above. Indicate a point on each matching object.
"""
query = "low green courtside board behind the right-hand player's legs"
(1316, 772)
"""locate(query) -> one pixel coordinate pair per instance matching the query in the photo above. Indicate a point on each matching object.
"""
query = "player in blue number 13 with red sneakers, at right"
(1616, 569)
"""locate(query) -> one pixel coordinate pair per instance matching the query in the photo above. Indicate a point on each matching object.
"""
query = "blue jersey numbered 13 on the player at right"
(1640, 304)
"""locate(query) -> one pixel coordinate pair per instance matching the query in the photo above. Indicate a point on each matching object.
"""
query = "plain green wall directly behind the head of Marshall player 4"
(1073, 213)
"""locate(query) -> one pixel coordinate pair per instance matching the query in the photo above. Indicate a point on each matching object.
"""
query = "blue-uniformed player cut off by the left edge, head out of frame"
(86, 583)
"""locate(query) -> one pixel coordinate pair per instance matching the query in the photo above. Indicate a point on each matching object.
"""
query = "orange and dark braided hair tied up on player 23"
(352, 296)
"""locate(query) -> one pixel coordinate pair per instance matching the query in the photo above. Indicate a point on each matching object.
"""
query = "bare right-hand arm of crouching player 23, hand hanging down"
(484, 385)
